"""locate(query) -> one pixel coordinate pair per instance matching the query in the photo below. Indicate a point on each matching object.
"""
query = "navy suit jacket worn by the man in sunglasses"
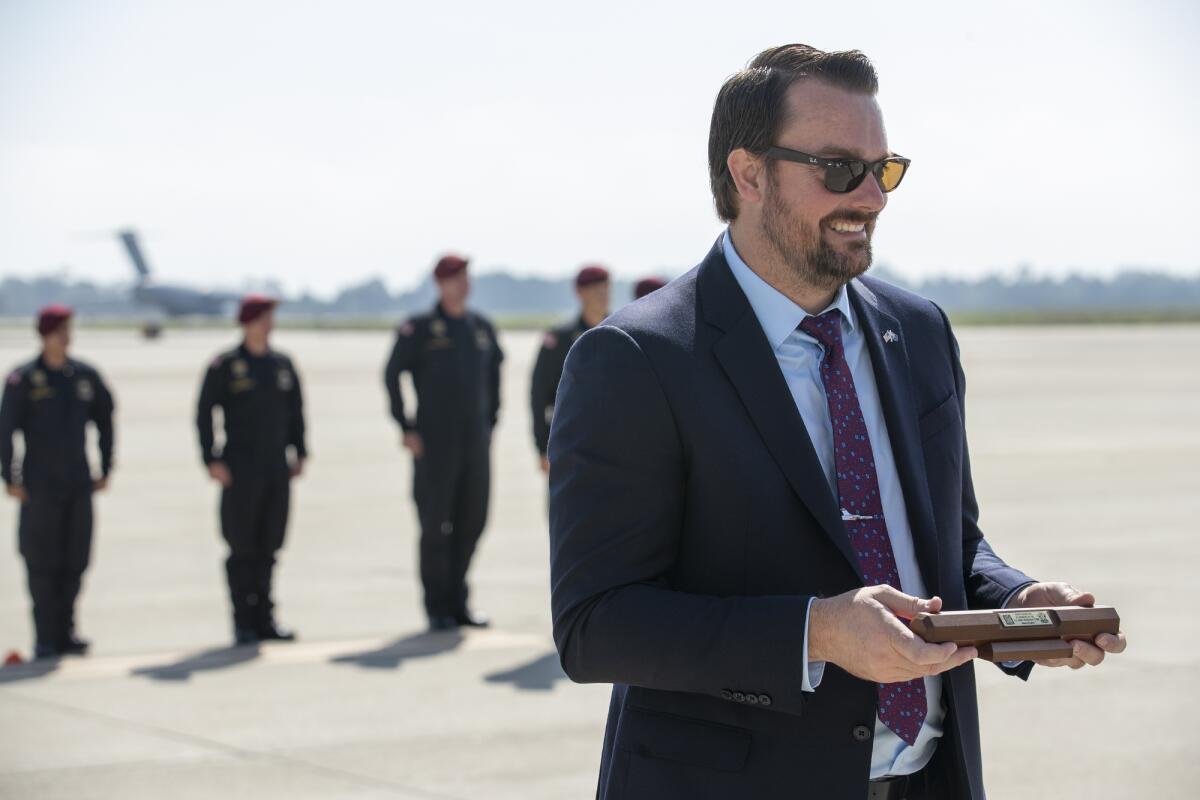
(692, 524)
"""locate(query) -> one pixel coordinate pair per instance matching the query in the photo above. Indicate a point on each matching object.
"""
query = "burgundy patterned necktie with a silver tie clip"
(902, 706)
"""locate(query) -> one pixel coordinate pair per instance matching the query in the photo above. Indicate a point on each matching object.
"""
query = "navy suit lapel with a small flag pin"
(893, 378)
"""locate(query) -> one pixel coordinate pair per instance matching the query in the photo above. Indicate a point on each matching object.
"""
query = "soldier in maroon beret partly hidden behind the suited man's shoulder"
(592, 288)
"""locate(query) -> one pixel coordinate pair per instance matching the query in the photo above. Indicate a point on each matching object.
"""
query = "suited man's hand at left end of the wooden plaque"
(861, 631)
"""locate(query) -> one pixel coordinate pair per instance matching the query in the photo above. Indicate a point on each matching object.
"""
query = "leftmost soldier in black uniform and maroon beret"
(51, 401)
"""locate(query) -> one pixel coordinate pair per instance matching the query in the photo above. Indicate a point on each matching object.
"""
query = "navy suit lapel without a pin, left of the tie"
(751, 365)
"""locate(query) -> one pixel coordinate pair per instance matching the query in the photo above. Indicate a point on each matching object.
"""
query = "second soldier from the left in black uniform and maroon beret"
(259, 392)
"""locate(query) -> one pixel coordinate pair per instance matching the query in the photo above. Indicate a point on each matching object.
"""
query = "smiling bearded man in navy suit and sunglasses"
(757, 471)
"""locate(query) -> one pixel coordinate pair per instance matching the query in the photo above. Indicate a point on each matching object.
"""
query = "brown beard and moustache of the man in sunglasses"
(812, 260)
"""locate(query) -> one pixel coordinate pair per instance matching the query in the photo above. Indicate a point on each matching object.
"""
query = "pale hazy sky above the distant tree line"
(323, 143)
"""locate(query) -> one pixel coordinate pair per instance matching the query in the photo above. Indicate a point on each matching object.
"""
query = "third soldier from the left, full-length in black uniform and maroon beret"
(455, 360)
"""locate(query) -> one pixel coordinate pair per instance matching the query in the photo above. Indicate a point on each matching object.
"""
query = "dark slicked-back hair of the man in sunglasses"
(749, 110)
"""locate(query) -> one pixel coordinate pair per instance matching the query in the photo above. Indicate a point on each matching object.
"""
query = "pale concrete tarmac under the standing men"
(1085, 446)
